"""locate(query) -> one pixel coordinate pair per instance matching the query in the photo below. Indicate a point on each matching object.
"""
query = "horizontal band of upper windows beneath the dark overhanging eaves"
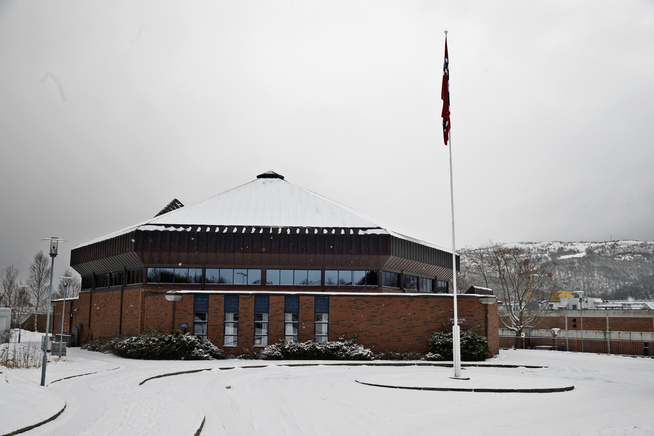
(274, 277)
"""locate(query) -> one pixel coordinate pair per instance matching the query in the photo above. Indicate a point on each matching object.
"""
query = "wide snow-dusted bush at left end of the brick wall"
(157, 345)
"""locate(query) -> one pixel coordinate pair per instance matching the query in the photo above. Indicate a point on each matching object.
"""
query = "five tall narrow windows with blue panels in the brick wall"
(261, 319)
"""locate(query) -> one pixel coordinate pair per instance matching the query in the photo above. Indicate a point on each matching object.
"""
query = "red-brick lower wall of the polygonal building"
(381, 322)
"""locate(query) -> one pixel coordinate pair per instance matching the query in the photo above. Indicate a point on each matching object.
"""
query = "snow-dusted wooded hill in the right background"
(611, 270)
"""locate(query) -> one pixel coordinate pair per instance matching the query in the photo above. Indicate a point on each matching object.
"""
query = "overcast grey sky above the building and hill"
(109, 110)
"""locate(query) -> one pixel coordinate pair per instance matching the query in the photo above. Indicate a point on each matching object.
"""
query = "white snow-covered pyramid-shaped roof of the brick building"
(268, 201)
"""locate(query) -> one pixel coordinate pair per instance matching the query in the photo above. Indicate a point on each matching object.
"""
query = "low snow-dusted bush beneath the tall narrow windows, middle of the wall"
(310, 350)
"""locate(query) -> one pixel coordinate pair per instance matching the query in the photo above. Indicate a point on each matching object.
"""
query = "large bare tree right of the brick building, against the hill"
(522, 280)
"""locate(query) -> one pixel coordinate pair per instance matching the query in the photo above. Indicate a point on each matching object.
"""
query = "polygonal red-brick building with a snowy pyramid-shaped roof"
(266, 261)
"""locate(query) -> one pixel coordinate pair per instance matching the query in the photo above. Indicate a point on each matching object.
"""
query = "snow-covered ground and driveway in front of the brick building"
(107, 395)
